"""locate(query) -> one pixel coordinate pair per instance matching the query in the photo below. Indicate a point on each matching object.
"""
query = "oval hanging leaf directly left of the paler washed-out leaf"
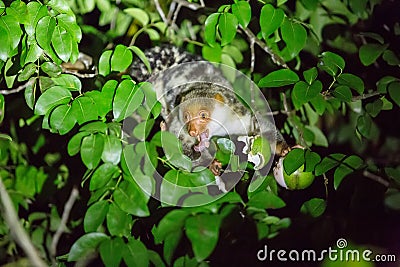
(91, 150)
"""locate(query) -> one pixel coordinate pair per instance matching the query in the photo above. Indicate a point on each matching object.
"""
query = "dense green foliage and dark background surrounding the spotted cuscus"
(329, 69)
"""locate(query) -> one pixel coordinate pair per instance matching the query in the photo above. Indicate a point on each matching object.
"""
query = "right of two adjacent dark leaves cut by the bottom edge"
(136, 254)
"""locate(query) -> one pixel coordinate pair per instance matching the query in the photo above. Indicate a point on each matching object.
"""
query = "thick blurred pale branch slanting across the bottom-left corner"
(20, 236)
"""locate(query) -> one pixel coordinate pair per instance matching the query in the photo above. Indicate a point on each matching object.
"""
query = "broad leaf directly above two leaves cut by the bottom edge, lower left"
(119, 223)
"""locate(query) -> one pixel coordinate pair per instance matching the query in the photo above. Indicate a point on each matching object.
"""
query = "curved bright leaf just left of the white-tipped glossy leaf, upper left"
(44, 33)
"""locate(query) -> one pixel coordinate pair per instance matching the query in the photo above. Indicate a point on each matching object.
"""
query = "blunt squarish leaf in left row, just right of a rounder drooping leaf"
(84, 109)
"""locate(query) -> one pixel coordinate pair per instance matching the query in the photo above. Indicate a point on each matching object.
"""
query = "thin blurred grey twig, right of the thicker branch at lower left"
(63, 224)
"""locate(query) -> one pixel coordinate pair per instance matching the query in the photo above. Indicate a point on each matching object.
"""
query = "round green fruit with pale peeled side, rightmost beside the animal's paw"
(297, 180)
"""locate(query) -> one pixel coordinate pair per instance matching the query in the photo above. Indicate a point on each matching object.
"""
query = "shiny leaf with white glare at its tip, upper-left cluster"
(62, 43)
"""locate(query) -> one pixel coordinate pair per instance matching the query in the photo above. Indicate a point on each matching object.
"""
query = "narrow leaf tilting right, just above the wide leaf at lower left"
(95, 216)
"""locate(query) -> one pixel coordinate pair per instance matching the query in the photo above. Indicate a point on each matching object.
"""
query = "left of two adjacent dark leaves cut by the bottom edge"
(111, 251)
